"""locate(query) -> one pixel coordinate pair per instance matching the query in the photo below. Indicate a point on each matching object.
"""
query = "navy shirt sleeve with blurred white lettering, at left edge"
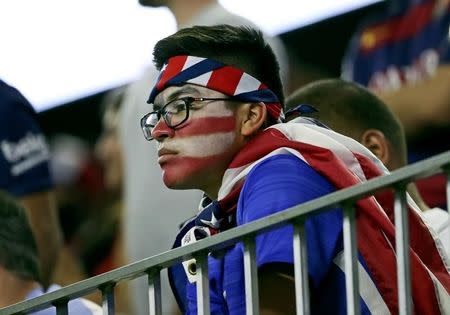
(24, 157)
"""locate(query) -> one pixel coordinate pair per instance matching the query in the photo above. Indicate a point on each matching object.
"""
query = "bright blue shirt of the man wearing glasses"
(277, 183)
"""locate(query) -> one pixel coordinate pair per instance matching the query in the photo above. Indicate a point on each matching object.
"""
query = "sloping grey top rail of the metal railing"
(409, 173)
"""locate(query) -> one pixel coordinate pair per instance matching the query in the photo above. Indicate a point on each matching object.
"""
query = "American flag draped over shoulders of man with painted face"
(345, 162)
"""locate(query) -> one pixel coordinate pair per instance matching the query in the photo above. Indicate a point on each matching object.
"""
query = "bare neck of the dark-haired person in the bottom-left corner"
(13, 289)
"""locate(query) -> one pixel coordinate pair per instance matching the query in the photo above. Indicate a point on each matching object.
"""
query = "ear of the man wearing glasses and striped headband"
(253, 116)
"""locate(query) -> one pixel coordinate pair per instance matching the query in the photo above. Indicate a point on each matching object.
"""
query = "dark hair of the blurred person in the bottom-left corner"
(19, 254)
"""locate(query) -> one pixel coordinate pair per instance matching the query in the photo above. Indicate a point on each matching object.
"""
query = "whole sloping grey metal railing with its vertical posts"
(151, 267)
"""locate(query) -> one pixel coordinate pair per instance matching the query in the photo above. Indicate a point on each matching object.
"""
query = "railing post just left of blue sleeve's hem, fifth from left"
(251, 277)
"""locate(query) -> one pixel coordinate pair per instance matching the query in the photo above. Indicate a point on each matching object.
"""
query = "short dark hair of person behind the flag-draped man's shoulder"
(350, 109)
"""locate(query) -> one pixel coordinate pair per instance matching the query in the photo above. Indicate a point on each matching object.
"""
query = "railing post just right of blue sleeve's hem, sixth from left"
(301, 268)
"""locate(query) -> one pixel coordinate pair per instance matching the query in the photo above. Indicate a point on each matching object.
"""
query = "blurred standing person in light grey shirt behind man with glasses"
(157, 211)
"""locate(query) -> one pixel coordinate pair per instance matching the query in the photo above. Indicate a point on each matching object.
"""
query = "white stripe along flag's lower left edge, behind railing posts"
(367, 289)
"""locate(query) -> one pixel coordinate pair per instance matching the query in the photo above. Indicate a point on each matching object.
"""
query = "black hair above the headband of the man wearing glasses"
(242, 47)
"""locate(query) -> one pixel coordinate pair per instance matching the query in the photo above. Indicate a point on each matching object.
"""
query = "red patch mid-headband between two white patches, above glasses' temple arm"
(225, 80)
